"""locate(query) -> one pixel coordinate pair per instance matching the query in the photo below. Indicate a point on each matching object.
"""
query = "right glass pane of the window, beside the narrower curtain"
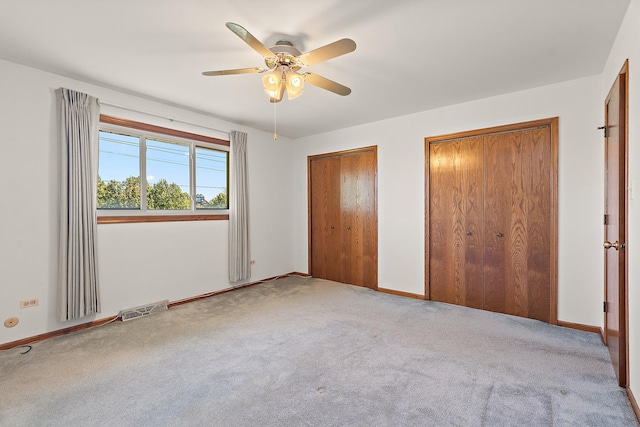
(211, 179)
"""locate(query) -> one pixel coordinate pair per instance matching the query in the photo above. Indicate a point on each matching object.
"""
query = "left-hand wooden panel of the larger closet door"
(455, 227)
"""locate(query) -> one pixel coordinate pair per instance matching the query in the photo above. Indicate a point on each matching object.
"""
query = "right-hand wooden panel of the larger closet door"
(517, 211)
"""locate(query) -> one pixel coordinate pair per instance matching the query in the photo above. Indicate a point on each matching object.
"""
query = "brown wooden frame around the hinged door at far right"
(623, 273)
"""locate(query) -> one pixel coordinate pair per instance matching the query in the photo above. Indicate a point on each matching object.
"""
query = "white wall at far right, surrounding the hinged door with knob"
(627, 46)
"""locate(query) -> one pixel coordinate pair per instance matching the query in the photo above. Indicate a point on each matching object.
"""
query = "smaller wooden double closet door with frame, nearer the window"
(343, 238)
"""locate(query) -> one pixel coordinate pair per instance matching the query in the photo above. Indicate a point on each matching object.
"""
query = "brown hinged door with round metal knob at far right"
(615, 227)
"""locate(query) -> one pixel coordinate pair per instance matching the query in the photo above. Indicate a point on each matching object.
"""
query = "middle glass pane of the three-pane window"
(167, 176)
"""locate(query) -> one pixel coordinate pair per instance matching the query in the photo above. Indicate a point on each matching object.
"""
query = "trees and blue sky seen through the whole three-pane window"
(169, 168)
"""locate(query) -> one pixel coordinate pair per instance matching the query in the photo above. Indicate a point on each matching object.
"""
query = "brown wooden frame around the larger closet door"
(552, 122)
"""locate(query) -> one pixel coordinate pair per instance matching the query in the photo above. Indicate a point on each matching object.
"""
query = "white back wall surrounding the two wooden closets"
(401, 174)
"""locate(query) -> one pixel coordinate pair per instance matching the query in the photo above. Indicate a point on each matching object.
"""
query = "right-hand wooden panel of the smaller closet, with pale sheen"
(359, 219)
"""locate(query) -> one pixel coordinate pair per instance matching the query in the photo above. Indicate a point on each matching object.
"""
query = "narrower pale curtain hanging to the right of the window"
(239, 255)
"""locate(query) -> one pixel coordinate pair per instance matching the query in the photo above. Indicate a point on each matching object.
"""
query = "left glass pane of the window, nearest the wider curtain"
(118, 171)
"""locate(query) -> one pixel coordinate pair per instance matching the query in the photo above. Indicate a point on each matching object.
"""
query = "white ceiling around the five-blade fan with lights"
(412, 55)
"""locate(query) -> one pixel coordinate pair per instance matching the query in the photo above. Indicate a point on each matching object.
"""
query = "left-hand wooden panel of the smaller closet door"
(324, 183)
